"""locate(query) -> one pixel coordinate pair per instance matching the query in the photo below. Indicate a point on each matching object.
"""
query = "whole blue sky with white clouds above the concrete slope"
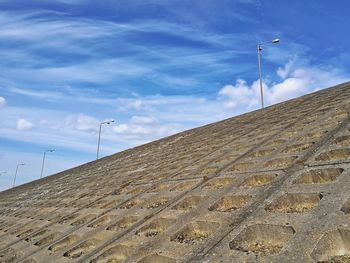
(156, 67)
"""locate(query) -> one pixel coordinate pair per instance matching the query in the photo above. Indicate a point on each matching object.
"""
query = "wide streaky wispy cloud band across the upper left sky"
(61, 49)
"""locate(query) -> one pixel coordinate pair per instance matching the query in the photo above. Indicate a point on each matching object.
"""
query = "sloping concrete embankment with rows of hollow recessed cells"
(268, 186)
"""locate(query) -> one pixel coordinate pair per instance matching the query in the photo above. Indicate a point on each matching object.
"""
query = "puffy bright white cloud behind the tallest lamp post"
(296, 81)
